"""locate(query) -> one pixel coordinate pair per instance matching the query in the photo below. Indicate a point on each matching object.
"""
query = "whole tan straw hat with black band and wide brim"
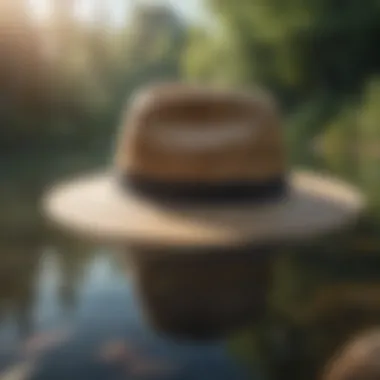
(200, 167)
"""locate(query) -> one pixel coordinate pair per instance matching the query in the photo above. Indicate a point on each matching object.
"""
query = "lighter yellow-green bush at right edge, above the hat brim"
(351, 143)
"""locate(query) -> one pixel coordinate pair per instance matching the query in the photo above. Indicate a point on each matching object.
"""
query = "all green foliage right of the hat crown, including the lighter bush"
(316, 55)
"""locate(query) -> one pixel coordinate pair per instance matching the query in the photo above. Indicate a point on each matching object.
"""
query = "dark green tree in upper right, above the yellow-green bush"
(314, 54)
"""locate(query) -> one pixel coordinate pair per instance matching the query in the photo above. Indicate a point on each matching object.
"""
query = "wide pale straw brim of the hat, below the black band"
(97, 206)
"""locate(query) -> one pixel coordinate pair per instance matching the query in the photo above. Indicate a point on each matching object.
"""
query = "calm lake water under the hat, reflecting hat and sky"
(70, 309)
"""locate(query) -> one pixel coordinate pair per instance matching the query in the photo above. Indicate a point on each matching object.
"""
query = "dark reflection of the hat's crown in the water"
(203, 297)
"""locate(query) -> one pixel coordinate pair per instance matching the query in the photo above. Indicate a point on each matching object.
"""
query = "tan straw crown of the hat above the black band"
(179, 133)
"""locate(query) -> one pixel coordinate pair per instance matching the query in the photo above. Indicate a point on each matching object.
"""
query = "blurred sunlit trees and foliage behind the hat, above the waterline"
(67, 69)
